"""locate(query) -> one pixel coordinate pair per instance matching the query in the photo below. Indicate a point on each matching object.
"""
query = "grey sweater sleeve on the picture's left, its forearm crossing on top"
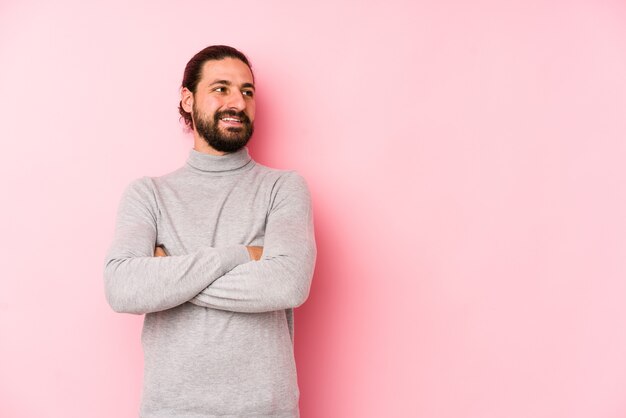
(136, 281)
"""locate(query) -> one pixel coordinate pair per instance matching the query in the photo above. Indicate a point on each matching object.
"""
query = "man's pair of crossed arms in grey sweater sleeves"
(236, 278)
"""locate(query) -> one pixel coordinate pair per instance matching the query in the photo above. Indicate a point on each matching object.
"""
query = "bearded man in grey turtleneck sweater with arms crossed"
(216, 255)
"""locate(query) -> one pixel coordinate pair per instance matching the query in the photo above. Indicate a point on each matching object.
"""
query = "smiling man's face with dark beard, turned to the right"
(223, 104)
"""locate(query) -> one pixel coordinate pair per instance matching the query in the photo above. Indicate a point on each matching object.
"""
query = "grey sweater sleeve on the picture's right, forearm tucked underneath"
(282, 278)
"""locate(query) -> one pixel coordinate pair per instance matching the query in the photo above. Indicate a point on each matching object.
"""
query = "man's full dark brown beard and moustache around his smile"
(229, 140)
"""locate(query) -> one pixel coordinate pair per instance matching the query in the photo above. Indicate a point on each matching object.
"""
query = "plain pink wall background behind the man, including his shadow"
(467, 164)
